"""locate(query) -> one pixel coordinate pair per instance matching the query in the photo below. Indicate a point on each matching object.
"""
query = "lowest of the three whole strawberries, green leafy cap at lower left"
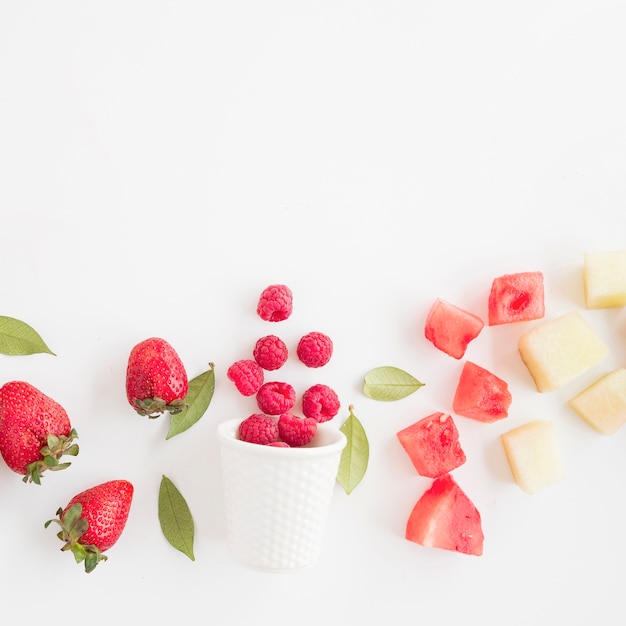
(93, 520)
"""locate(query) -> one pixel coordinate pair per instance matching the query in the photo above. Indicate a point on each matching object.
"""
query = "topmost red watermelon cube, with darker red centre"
(516, 298)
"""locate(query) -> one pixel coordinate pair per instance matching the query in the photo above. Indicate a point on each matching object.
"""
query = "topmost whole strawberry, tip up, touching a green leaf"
(156, 379)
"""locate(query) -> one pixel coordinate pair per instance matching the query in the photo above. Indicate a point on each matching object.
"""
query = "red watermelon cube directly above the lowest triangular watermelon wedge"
(432, 444)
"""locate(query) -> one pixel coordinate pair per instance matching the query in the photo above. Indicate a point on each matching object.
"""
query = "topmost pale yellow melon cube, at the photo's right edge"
(604, 275)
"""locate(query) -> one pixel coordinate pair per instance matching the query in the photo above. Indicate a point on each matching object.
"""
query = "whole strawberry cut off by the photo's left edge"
(35, 431)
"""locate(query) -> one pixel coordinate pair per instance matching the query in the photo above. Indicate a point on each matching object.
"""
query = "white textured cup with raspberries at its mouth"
(277, 500)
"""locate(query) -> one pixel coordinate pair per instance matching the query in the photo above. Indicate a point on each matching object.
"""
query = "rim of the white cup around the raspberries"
(328, 440)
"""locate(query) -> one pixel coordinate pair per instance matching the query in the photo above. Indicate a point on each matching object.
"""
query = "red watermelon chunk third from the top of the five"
(481, 395)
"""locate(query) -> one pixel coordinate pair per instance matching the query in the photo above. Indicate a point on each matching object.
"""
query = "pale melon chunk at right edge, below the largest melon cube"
(603, 404)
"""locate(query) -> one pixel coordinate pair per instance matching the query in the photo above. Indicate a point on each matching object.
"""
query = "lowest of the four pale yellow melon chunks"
(534, 455)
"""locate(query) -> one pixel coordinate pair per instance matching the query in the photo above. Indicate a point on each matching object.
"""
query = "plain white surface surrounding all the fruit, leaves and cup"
(162, 162)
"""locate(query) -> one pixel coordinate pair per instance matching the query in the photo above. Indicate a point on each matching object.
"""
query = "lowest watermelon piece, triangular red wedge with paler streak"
(444, 517)
